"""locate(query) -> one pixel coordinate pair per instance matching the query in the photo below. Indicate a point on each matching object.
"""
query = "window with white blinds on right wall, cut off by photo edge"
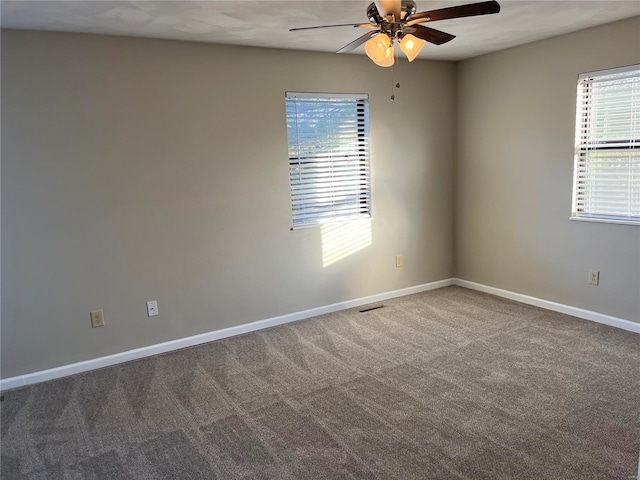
(607, 158)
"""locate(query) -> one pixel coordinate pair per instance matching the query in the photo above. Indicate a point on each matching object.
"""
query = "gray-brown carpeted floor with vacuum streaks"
(445, 384)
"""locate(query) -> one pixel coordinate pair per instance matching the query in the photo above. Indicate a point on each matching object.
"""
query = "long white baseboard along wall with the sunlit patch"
(66, 370)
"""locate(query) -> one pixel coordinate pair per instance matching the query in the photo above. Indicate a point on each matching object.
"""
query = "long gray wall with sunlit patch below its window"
(137, 170)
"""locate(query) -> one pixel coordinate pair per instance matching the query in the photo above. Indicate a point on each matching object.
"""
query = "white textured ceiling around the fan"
(265, 23)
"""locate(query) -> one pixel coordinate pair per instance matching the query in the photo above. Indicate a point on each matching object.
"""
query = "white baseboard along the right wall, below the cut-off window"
(556, 307)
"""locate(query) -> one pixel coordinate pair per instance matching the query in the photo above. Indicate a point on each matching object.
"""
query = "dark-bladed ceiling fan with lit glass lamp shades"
(397, 21)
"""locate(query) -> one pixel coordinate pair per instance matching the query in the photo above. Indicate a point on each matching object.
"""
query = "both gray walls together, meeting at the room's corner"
(137, 170)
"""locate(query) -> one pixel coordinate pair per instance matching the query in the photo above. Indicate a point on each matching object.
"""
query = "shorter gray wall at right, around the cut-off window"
(514, 167)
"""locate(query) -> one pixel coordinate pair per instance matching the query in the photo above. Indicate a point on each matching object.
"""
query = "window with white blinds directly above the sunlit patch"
(328, 157)
